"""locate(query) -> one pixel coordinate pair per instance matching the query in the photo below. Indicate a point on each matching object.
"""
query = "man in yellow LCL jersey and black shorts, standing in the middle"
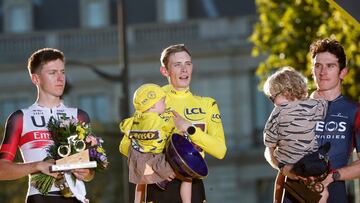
(198, 116)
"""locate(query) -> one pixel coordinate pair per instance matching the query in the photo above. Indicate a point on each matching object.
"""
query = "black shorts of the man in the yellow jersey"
(172, 193)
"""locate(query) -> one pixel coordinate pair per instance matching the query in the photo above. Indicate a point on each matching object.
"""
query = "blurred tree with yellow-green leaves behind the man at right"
(286, 28)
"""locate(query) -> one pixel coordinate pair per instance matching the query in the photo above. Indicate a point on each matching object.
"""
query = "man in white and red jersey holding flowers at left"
(27, 129)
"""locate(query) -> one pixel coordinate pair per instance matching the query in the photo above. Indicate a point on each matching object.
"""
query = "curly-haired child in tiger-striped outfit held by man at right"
(289, 131)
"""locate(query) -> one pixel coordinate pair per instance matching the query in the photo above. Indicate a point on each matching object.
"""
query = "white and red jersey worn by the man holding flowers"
(27, 129)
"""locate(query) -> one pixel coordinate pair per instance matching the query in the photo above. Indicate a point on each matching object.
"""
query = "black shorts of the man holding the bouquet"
(38, 198)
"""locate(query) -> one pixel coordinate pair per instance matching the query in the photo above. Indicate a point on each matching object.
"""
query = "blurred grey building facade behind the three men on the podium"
(216, 32)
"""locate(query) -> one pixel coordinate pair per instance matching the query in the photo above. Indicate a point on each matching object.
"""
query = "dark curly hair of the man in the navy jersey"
(329, 45)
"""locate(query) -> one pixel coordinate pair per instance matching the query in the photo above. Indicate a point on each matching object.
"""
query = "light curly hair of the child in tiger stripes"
(288, 82)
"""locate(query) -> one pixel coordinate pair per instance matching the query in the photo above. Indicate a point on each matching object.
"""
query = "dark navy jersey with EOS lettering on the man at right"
(342, 129)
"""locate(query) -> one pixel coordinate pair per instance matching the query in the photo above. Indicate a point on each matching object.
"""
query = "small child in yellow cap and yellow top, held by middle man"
(147, 132)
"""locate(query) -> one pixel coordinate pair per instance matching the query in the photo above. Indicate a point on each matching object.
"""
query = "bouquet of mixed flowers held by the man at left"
(70, 137)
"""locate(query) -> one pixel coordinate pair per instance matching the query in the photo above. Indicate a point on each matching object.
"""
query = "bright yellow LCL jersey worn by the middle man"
(203, 113)
